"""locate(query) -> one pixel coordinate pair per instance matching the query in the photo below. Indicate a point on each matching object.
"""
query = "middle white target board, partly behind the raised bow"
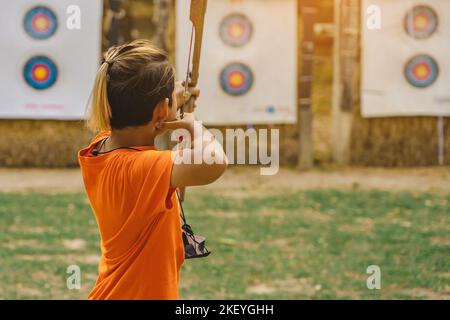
(243, 79)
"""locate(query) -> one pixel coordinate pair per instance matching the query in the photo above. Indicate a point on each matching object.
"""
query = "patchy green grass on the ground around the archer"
(305, 245)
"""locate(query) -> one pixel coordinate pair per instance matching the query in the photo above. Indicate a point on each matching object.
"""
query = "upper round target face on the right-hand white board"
(421, 22)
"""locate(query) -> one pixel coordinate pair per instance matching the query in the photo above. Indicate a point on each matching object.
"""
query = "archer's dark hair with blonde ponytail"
(132, 80)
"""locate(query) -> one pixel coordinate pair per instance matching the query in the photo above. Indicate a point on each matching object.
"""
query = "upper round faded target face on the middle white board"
(236, 30)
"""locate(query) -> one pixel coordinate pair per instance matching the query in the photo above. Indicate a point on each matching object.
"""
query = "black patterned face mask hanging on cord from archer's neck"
(194, 245)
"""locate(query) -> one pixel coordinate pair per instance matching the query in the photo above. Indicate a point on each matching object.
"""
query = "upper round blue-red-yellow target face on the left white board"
(40, 23)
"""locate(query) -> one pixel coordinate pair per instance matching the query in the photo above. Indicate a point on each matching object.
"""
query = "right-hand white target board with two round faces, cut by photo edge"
(405, 65)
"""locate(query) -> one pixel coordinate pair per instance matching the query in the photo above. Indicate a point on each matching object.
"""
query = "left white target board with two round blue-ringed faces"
(48, 69)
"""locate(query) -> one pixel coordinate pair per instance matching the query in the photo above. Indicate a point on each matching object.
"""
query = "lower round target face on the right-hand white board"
(421, 71)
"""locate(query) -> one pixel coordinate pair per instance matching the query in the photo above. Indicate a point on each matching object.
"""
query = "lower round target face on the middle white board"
(236, 79)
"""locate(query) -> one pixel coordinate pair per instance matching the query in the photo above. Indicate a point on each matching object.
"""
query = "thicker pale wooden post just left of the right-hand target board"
(345, 75)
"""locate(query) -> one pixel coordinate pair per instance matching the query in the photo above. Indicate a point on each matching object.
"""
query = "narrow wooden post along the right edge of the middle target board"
(305, 114)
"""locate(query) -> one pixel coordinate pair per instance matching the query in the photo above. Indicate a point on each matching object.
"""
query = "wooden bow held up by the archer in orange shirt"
(197, 17)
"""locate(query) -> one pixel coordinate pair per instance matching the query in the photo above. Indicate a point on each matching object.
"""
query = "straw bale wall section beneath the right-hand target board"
(398, 142)
